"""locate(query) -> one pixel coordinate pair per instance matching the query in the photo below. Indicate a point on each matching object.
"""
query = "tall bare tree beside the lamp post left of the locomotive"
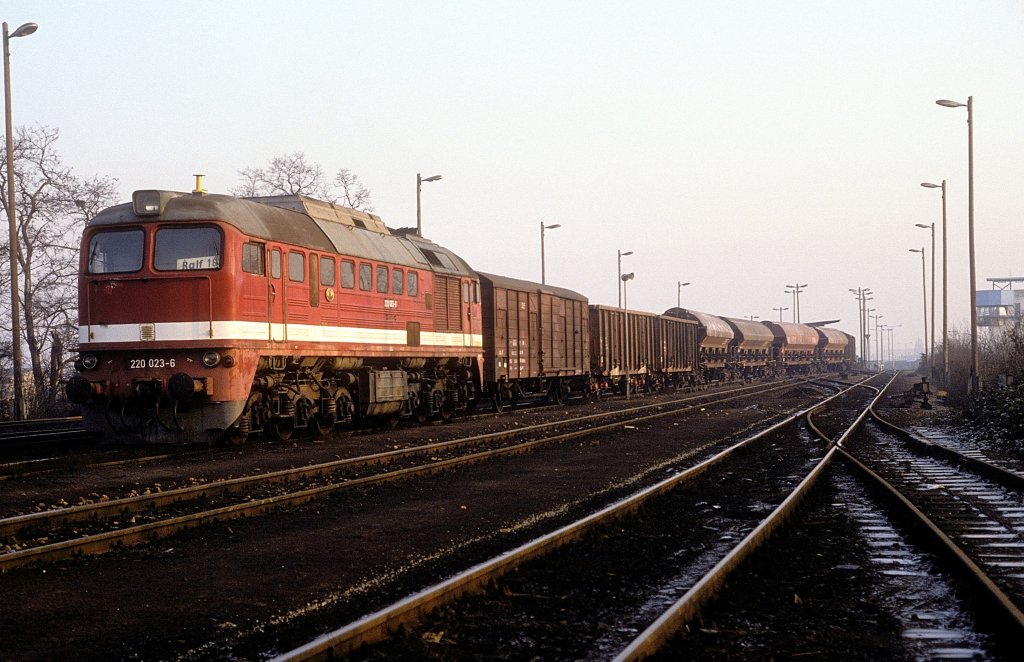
(54, 206)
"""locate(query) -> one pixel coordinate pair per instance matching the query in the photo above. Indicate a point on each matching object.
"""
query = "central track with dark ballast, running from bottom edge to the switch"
(580, 570)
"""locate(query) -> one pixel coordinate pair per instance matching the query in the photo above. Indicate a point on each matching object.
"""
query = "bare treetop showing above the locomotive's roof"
(292, 175)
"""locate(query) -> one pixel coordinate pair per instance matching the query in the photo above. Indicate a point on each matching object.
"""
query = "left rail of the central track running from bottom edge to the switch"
(378, 627)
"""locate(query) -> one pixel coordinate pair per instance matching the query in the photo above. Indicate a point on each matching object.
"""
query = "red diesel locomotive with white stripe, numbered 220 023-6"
(202, 315)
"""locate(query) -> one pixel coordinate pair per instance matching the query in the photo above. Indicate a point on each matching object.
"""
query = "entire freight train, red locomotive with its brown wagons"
(206, 317)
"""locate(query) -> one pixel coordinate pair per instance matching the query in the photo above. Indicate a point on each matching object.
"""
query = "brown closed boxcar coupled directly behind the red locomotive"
(535, 340)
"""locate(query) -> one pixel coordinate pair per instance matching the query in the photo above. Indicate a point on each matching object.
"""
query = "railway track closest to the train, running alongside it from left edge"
(100, 526)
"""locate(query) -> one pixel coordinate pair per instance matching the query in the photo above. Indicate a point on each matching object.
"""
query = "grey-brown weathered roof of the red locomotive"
(298, 221)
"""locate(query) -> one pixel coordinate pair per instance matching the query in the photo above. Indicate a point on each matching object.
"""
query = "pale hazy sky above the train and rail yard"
(741, 146)
